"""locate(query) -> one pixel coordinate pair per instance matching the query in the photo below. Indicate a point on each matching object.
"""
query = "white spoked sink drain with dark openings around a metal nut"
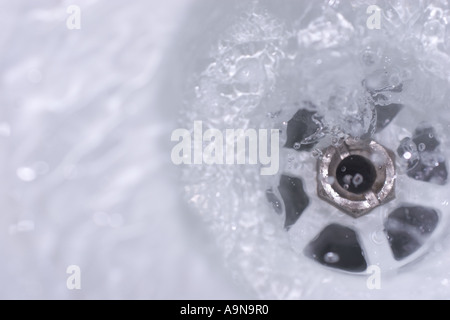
(359, 176)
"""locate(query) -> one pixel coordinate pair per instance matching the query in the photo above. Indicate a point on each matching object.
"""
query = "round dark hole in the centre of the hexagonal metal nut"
(356, 174)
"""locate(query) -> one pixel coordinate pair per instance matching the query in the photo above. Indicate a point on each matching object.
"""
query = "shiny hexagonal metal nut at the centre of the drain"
(356, 176)
